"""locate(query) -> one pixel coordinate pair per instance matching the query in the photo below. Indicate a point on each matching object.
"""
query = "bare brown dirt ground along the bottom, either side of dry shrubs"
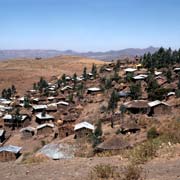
(79, 168)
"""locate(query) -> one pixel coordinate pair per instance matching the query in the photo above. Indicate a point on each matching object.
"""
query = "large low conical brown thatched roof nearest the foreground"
(116, 142)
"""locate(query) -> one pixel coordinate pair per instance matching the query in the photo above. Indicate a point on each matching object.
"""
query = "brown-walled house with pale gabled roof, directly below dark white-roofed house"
(45, 129)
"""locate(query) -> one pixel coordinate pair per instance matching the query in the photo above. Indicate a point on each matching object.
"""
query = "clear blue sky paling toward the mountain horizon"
(89, 25)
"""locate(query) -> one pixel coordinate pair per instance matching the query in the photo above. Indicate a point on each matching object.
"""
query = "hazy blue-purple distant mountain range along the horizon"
(106, 56)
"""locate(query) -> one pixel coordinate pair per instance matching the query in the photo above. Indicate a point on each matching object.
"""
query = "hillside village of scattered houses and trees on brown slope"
(111, 108)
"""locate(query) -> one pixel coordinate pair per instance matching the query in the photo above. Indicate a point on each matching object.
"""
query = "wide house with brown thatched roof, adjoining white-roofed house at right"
(137, 106)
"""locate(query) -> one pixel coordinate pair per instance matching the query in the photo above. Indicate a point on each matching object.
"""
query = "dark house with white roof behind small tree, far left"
(9, 121)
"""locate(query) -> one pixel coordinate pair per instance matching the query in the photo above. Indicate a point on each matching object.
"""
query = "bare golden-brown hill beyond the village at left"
(23, 73)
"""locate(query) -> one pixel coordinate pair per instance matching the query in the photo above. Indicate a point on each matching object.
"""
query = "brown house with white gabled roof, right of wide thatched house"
(158, 108)
